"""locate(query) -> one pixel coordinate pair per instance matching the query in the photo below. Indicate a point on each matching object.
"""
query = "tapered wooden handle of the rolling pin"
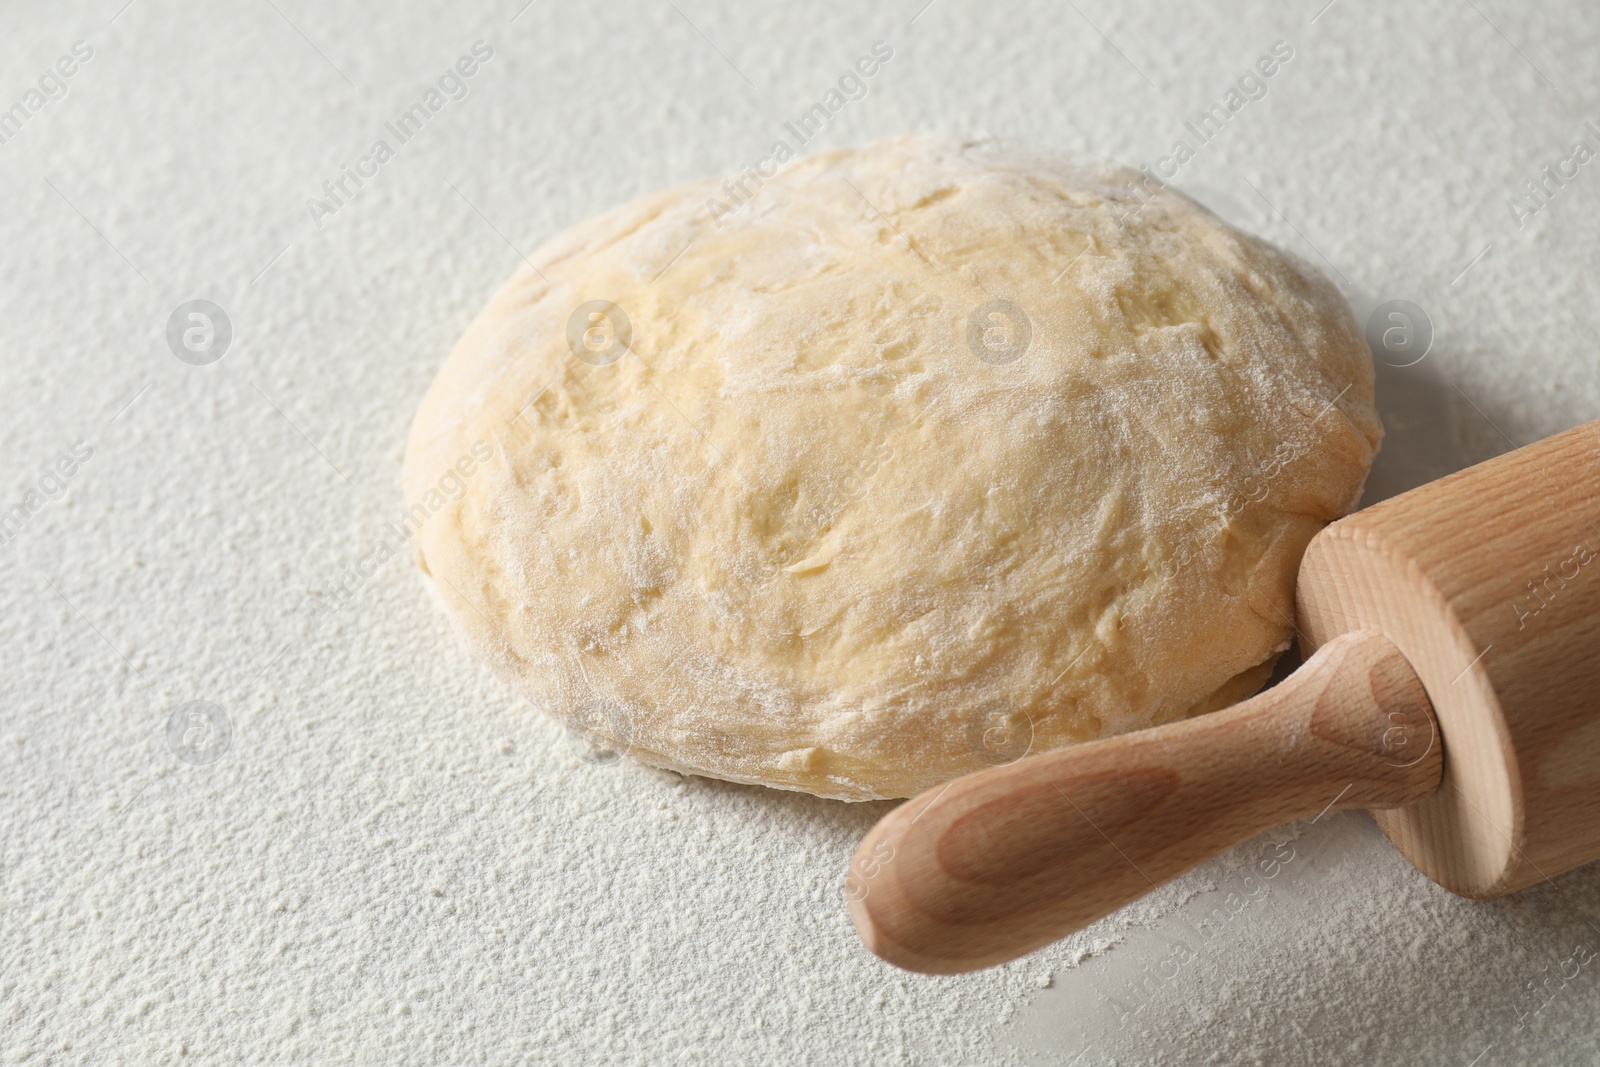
(1009, 860)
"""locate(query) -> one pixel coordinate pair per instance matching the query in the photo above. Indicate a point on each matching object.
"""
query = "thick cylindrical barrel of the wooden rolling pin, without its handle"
(1489, 581)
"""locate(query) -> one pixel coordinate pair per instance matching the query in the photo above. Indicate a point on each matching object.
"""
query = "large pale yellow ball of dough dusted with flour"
(903, 463)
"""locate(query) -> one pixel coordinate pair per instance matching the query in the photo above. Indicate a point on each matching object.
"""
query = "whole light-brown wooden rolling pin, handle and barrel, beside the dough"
(1455, 690)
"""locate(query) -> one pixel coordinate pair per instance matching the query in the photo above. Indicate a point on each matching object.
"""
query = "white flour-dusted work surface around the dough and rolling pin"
(398, 861)
